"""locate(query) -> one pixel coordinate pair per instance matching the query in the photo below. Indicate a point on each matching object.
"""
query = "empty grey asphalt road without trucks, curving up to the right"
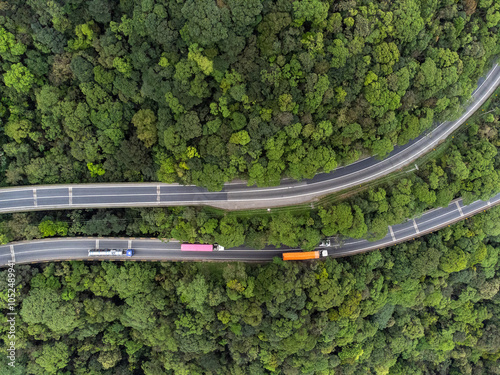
(237, 196)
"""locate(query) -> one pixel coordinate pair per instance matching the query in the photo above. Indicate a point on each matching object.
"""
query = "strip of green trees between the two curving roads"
(468, 167)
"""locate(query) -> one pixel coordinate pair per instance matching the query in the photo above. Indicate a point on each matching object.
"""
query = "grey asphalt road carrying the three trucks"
(76, 248)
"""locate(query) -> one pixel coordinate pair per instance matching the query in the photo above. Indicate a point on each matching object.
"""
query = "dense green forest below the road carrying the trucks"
(429, 306)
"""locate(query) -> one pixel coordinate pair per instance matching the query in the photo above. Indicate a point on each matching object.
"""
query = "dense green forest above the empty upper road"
(202, 92)
